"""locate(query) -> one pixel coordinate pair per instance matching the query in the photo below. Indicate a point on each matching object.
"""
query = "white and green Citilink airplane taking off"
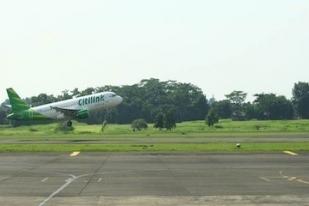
(67, 110)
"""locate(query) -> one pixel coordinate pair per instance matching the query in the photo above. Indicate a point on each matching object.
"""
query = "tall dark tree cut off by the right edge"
(301, 99)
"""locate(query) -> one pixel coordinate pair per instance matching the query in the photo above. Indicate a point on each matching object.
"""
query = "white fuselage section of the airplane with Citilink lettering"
(103, 100)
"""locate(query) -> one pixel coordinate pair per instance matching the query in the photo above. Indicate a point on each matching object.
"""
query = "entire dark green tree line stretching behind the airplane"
(151, 99)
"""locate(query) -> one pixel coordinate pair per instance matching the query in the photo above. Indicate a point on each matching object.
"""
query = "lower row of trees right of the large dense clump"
(266, 106)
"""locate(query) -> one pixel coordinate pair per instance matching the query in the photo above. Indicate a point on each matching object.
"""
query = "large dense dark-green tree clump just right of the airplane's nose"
(151, 96)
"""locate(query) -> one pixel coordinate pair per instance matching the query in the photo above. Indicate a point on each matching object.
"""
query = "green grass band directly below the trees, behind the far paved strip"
(224, 126)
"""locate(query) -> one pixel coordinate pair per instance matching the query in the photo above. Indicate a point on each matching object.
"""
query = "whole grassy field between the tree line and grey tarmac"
(187, 137)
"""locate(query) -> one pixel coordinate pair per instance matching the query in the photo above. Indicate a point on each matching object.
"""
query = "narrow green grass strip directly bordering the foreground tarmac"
(211, 147)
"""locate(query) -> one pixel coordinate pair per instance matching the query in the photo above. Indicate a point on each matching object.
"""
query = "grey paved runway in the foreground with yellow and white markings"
(153, 179)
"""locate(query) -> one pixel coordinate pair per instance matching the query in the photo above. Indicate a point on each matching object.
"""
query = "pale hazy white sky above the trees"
(220, 46)
